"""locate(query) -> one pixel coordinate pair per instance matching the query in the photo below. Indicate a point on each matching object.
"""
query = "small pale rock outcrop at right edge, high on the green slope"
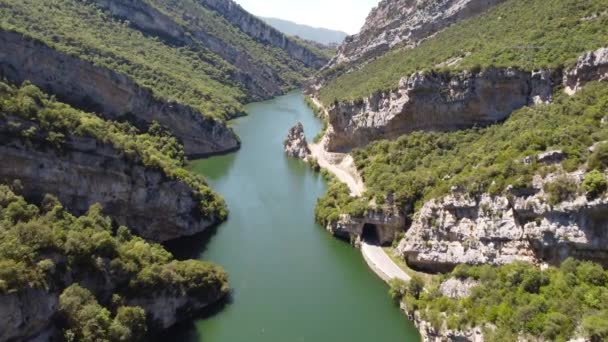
(592, 66)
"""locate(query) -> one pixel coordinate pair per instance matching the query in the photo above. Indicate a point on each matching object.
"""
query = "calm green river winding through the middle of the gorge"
(291, 280)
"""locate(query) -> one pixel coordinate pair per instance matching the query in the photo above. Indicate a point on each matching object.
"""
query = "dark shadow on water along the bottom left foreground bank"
(186, 331)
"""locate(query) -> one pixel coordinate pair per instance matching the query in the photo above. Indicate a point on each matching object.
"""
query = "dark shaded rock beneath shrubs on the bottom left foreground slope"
(30, 315)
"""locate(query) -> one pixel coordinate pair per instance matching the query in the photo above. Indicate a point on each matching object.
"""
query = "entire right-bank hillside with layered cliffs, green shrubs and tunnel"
(480, 136)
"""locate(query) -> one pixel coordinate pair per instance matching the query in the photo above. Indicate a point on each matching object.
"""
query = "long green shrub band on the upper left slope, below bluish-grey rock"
(80, 28)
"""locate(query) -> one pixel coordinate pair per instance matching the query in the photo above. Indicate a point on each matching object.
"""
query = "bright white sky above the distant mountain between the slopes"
(343, 15)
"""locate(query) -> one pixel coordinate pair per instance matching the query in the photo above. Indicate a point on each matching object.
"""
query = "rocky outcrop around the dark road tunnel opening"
(381, 226)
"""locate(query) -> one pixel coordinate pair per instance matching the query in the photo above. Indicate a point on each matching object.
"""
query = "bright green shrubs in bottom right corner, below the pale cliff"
(520, 300)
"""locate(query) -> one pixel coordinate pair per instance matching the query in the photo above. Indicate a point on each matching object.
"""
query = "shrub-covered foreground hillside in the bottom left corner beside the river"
(61, 275)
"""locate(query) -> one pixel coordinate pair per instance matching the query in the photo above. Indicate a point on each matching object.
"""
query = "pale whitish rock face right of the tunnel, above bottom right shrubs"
(497, 230)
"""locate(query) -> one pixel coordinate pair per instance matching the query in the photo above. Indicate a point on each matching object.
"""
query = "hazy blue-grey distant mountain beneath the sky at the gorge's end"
(319, 35)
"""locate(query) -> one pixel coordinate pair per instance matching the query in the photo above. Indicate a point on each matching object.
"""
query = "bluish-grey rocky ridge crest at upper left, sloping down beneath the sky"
(262, 32)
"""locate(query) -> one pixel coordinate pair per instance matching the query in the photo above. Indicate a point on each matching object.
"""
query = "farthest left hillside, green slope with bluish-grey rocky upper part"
(202, 59)
